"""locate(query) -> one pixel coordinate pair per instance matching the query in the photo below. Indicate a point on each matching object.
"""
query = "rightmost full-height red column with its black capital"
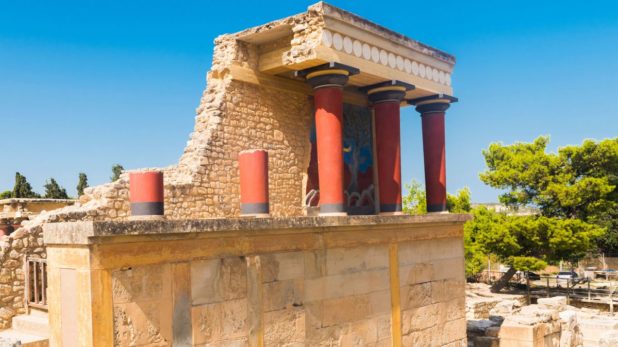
(432, 110)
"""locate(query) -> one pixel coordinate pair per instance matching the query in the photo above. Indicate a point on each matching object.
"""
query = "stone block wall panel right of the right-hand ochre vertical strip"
(432, 284)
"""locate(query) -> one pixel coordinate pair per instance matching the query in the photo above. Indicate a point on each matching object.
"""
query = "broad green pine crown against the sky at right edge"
(578, 182)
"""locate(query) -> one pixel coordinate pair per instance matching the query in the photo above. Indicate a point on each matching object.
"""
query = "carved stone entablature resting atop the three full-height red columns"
(341, 36)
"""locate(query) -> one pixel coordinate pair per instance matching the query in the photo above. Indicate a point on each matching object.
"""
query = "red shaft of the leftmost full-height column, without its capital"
(329, 138)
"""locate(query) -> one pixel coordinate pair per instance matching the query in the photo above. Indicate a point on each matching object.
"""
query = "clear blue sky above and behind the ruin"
(85, 84)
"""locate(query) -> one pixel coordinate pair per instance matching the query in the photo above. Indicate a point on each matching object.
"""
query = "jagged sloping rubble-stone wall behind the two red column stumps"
(233, 116)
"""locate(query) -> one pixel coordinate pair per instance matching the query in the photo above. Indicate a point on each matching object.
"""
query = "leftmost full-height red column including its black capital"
(327, 81)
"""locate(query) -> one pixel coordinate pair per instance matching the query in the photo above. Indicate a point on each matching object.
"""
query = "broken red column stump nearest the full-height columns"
(253, 183)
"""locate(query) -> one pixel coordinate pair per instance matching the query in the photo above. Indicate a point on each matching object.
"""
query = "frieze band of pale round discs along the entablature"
(366, 51)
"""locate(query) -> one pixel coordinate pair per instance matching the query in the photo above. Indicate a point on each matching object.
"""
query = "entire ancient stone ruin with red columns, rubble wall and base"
(281, 224)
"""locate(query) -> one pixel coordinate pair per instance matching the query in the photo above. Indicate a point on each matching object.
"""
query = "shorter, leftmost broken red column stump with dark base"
(146, 194)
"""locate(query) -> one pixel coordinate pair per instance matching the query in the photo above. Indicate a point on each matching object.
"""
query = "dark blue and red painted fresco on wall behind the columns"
(358, 159)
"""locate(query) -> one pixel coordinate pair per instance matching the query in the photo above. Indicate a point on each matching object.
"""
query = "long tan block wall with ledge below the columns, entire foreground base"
(368, 280)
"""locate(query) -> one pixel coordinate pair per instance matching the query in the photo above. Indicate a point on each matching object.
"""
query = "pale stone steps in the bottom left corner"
(27, 330)
